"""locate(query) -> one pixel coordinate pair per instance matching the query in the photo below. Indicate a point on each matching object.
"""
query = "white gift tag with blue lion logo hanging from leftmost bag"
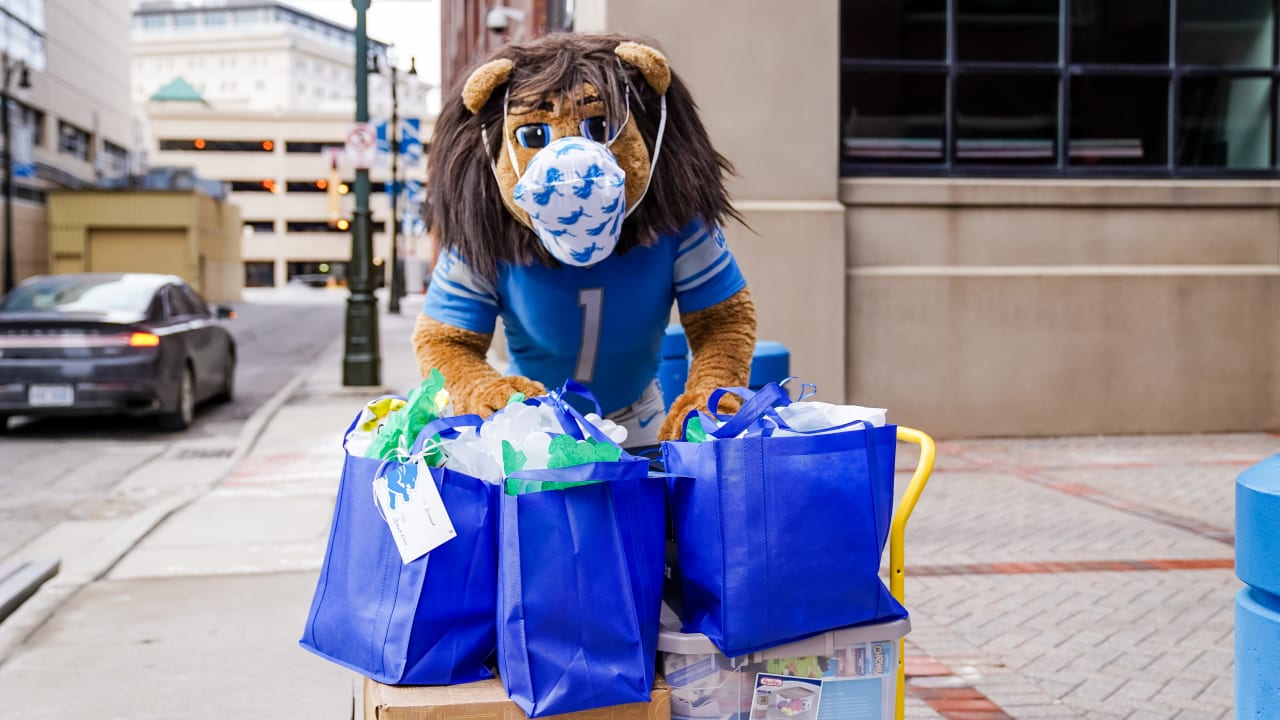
(412, 505)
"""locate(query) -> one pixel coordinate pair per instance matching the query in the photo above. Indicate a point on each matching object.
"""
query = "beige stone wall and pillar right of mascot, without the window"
(966, 307)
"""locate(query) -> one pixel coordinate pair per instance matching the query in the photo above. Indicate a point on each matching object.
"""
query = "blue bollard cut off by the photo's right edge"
(1258, 607)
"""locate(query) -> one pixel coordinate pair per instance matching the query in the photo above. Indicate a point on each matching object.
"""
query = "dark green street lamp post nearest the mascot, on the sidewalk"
(362, 363)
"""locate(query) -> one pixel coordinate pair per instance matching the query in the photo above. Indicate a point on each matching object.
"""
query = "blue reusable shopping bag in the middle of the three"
(580, 586)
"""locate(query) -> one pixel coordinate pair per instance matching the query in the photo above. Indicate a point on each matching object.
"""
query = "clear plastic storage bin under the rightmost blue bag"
(845, 675)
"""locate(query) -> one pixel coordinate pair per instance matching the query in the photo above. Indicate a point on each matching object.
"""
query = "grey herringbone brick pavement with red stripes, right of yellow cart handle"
(1086, 578)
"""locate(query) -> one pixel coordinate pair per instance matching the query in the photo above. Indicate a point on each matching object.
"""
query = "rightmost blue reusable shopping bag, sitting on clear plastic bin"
(781, 537)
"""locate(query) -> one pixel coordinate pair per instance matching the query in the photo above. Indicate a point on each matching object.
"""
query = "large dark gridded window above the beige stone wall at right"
(1059, 88)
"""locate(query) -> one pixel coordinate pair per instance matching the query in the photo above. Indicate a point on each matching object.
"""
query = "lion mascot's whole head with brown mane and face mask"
(568, 149)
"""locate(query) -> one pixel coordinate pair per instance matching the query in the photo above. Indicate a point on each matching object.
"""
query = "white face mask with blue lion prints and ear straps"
(575, 194)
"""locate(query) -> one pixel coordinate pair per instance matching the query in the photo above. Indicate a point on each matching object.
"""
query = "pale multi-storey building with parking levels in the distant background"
(260, 95)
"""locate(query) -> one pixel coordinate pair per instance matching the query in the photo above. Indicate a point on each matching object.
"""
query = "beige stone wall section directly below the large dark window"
(1016, 308)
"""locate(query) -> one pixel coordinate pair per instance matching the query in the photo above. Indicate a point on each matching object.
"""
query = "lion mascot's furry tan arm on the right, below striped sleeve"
(723, 340)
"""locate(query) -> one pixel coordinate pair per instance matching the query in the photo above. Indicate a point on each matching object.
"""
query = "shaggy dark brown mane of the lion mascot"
(464, 206)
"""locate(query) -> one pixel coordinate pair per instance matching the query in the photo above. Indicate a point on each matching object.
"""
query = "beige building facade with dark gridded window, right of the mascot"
(1002, 218)
